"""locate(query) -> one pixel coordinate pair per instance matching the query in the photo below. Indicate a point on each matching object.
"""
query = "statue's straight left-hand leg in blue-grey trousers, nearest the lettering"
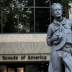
(56, 61)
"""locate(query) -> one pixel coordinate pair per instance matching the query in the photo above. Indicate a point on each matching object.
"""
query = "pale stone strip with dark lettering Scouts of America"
(26, 57)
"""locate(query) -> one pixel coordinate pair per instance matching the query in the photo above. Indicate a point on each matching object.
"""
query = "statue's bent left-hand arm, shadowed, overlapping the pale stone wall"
(53, 36)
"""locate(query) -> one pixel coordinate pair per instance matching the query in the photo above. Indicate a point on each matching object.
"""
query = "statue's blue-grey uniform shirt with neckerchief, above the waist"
(62, 28)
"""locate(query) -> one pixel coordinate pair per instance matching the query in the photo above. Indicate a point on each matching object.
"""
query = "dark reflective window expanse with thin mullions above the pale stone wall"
(26, 16)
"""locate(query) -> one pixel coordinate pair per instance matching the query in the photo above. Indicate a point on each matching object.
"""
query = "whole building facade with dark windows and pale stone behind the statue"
(23, 27)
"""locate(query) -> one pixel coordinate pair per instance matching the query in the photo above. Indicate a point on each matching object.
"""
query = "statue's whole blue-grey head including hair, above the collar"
(56, 9)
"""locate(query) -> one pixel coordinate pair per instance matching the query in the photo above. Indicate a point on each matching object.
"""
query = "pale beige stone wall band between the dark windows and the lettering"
(19, 44)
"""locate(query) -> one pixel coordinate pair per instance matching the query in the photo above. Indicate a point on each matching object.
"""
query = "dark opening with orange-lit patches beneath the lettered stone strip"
(24, 67)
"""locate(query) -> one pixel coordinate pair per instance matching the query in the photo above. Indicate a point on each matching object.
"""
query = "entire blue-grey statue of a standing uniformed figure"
(59, 37)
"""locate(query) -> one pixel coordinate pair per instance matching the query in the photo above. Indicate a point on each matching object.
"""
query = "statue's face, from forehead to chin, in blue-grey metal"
(57, 10)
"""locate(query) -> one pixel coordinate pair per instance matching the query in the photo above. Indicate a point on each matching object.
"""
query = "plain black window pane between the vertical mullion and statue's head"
(42, 19)
